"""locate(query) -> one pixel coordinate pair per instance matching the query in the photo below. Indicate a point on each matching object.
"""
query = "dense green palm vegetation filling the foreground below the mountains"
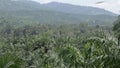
(59, 46)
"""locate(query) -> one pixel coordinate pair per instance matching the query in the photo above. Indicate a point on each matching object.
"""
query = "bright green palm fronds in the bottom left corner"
(10, 61)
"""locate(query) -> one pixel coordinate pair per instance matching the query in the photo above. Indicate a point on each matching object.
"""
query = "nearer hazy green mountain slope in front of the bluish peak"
(33, 11)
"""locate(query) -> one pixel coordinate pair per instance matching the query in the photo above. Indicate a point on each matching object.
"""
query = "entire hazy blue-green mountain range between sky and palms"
(53, 13)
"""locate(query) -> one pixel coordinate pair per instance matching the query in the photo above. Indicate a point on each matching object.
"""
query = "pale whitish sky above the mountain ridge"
(111, 5)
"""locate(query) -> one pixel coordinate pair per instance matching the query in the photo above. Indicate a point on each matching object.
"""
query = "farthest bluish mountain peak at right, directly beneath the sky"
(85, 10)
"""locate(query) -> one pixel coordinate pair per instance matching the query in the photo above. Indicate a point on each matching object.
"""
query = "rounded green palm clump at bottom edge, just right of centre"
(71, 56)
